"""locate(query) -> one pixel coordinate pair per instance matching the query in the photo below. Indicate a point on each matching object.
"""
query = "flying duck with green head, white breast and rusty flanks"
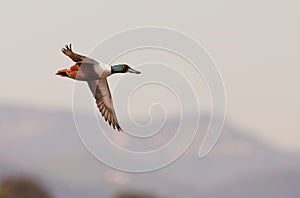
(95, 74)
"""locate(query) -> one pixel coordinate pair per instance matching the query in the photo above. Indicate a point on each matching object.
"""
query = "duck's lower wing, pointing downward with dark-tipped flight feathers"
(104, 102)
